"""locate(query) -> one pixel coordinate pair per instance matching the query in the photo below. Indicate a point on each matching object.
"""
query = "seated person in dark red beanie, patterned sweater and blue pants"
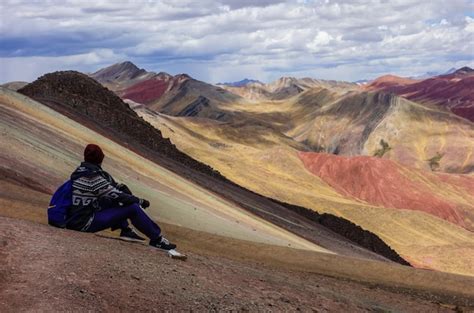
(98, 203)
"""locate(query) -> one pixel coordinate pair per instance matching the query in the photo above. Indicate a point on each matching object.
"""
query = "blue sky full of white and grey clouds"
(228, 40)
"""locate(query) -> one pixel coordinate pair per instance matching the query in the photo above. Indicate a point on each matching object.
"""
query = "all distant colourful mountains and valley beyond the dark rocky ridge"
(366, 150)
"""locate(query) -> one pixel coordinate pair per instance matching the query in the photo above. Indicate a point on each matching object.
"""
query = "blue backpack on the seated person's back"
(59, 205)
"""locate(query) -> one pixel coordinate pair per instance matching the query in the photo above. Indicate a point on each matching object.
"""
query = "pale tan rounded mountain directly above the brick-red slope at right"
(355, 124)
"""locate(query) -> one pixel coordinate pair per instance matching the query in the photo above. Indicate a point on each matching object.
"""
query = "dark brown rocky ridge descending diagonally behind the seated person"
(53, 90)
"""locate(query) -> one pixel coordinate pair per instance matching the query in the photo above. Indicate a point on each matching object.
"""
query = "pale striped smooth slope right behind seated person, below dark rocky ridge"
(42, 146)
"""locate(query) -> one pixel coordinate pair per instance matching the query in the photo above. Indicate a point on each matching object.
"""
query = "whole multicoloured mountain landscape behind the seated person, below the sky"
(342, 179)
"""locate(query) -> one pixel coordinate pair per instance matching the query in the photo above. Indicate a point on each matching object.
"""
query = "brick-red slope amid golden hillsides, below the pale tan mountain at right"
(386, 183)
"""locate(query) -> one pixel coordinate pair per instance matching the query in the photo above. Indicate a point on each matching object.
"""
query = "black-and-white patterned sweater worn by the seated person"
(93, 190)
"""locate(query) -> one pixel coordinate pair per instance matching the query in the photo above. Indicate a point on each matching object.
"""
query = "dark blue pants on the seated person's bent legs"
(110, 218)
